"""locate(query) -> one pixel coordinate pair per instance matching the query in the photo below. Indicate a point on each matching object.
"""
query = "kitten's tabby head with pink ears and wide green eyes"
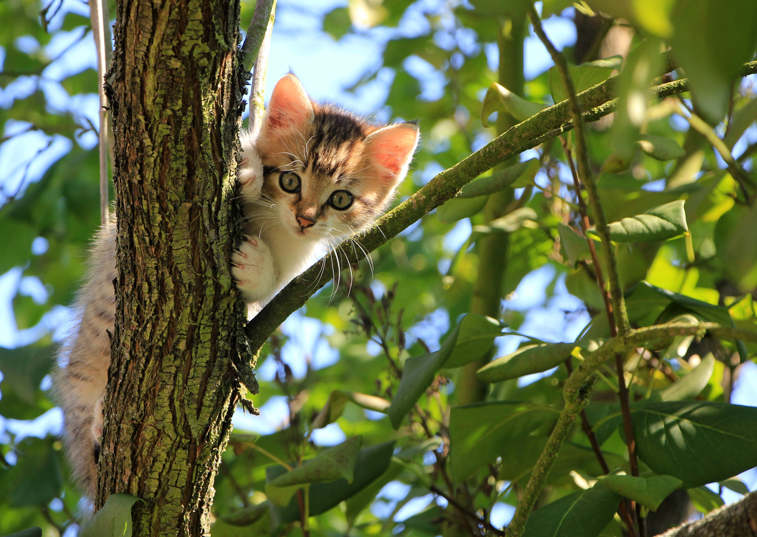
(329, 172)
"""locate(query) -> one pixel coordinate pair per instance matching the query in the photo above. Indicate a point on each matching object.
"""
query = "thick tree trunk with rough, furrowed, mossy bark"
(171, 394)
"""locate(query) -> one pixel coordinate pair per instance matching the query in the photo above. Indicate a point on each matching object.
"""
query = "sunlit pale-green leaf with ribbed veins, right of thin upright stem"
(658, 224)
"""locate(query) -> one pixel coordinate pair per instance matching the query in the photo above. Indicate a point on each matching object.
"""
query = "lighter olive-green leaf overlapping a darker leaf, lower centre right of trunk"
(334, 463)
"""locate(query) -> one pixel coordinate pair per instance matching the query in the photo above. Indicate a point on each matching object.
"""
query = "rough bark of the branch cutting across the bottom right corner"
(738, 519)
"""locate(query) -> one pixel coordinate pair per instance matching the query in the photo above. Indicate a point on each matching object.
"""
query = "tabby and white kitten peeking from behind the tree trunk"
(314, 175)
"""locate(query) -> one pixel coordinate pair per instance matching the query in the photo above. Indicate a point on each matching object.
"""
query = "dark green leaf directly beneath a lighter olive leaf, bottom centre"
(371, 463)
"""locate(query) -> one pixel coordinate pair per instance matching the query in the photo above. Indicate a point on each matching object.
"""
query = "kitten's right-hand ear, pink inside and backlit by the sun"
(391, 149)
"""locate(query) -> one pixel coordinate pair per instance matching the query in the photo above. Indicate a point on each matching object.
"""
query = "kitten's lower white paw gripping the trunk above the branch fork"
(253, 269)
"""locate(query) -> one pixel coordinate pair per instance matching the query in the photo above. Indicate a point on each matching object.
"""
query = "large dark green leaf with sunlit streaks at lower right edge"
(697, 442)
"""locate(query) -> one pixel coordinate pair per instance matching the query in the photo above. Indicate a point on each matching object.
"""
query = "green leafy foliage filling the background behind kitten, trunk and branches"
(681, 226)
